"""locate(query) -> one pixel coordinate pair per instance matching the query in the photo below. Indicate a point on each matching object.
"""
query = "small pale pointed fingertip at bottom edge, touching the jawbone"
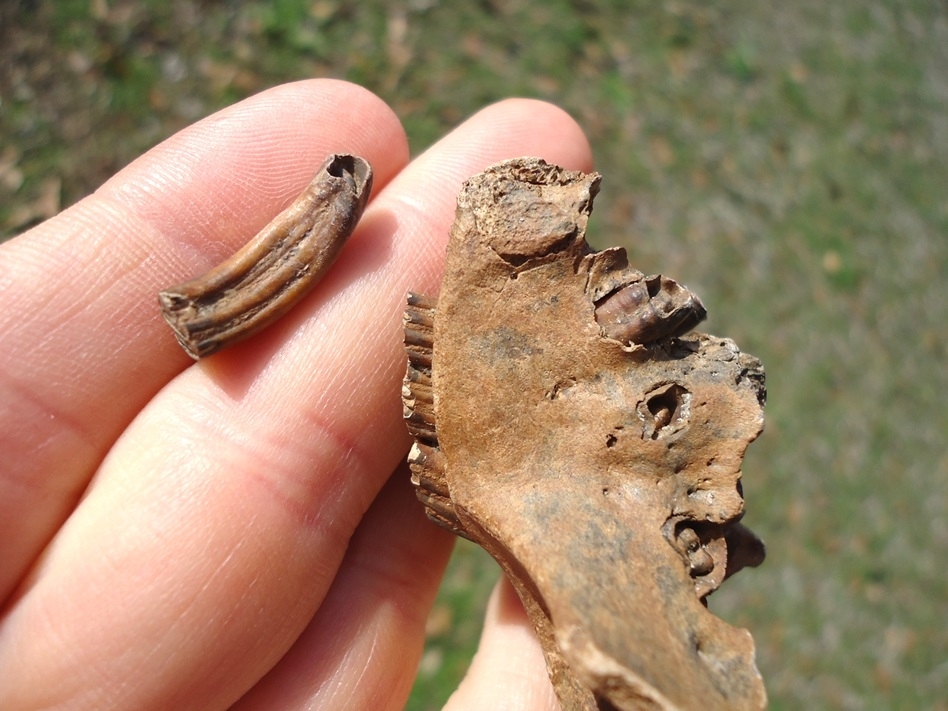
(508, 672)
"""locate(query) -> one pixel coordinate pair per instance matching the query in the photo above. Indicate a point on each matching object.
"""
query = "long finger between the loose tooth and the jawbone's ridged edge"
(211, 534)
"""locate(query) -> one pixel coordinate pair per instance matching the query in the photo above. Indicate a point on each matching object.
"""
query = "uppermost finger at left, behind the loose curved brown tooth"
(82, 345)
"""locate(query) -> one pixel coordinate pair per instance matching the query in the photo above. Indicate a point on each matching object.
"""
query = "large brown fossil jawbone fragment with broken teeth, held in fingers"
(565, 420)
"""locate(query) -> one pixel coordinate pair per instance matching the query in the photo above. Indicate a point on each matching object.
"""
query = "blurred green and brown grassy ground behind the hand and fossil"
(788, 161)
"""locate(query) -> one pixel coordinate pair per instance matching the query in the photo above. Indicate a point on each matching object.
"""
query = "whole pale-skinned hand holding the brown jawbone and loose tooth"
(238, 532)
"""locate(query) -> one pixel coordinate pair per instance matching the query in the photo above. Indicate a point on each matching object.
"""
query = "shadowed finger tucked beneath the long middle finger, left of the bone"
(361, 650)
